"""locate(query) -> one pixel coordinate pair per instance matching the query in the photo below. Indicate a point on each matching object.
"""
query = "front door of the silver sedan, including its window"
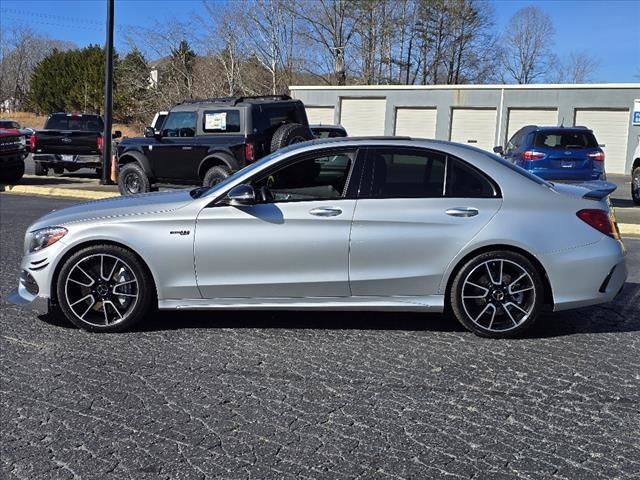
(292, 243)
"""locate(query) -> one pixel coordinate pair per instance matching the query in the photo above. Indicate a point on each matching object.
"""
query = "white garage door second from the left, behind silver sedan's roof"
(363, 116)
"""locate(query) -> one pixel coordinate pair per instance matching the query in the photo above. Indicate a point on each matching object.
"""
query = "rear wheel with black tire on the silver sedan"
(497, 310)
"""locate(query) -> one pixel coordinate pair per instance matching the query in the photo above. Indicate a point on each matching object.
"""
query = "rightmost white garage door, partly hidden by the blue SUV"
(611, 128)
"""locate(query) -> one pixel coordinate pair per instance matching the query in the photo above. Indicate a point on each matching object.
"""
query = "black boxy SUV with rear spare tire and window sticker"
(204, 141)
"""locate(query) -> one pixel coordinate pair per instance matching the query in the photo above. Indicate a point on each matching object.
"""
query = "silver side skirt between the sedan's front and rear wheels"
(430, 303)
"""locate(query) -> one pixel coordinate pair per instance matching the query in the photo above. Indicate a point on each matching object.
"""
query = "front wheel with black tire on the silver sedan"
(108, 297)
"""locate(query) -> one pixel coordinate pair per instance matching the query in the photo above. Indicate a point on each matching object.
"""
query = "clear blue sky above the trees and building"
(609, 30)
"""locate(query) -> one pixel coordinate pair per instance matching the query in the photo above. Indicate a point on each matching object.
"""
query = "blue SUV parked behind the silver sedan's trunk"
(556, 153)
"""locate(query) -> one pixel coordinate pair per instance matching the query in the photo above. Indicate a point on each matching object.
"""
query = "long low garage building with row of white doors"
(482, 115)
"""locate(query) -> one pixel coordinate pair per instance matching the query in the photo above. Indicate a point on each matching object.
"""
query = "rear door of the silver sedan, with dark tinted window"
(411, 223)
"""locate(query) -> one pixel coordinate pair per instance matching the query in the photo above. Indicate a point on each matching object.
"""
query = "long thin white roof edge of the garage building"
(540, 86)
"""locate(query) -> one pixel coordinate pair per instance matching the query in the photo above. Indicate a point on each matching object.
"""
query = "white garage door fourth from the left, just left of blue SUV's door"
(475, 127)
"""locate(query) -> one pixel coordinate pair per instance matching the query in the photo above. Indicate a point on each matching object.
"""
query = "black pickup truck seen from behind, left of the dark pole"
(69, 141)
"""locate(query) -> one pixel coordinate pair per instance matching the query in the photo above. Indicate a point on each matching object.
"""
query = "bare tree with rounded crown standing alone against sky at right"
(526, 45)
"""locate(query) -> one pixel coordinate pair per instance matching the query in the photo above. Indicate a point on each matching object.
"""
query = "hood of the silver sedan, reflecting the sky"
(115, 208)
